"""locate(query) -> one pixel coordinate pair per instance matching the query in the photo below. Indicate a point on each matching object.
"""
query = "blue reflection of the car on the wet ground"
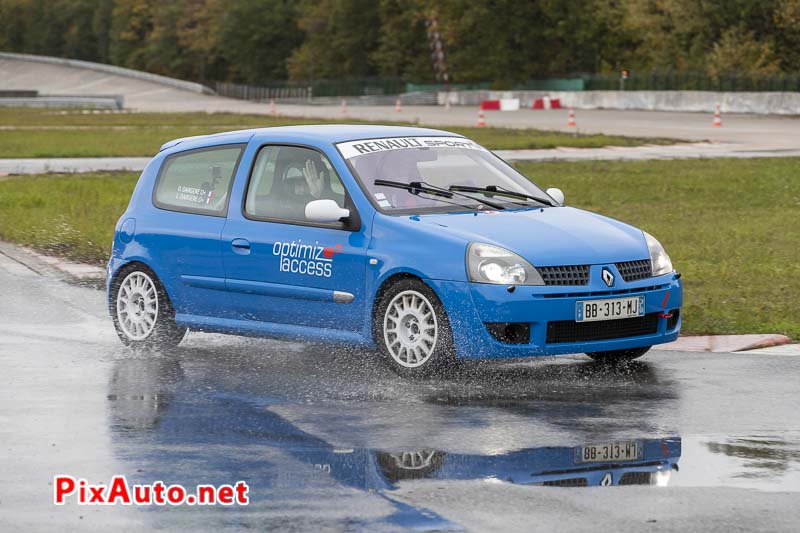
(167, 426)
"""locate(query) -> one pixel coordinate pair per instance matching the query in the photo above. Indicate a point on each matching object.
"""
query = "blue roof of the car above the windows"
(321, 133)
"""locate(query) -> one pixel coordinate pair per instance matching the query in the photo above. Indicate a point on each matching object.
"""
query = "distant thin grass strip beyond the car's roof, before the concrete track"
(53, 133)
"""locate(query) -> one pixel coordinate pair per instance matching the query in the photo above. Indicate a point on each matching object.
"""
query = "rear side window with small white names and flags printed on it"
(198, 181)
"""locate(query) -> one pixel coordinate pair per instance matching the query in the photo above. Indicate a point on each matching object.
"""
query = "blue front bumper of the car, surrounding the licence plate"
(471, 306)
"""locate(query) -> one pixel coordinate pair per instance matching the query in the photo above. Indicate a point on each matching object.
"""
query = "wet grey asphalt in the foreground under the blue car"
(319, 433)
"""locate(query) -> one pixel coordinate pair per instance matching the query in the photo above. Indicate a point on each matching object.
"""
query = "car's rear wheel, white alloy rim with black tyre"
(142, 313)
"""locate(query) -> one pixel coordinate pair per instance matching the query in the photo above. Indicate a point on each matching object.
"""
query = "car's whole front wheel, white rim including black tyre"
(413, 331)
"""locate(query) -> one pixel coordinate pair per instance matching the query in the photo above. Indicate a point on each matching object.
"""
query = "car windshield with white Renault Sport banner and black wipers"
(449, 163)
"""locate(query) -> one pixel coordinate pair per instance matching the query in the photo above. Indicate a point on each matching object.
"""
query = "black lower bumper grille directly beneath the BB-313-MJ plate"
(571, 331)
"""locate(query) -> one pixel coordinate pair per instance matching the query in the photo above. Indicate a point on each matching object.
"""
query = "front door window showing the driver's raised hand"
(286, 178)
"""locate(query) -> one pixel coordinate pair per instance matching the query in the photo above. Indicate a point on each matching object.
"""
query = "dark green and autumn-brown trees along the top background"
(504, 42)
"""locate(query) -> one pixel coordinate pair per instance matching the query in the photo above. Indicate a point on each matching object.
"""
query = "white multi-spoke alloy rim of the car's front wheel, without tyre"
(410, 329)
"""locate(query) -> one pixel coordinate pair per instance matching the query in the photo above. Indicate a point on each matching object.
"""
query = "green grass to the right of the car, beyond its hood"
(730, 226)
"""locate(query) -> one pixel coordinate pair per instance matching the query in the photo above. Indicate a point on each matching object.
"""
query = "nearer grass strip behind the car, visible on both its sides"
(730, 226)
